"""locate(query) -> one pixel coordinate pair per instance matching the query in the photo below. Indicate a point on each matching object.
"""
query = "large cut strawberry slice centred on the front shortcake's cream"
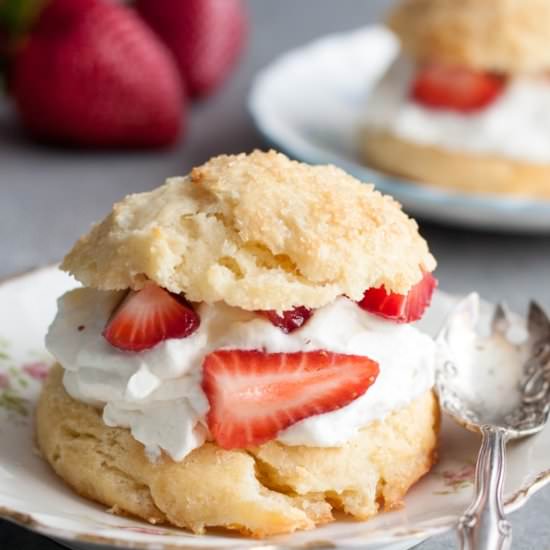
(254, 395)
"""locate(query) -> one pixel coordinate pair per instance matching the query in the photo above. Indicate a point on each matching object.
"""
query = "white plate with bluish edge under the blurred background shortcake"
(309, 102)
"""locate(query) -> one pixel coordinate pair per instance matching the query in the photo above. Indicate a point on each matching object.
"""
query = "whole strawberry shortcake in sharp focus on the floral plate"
(242, 352)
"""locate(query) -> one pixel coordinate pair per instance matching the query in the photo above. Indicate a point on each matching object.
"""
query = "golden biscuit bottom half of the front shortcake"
(260, 491)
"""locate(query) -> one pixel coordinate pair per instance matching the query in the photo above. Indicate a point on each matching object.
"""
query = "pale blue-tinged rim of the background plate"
(436, 196)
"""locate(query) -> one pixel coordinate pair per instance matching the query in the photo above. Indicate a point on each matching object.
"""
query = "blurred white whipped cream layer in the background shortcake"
(515, 126)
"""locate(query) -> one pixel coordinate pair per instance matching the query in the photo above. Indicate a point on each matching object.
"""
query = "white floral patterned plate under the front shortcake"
(31, 495)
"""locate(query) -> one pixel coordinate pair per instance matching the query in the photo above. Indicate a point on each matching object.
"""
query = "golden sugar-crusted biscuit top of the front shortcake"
(257, 231)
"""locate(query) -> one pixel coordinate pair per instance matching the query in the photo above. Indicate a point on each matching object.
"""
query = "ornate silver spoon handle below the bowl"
(484, 526)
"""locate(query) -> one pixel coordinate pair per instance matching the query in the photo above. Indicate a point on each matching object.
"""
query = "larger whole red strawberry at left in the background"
(91, 73)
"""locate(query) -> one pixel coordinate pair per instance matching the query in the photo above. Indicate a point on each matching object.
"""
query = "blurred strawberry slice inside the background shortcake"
(457, 88)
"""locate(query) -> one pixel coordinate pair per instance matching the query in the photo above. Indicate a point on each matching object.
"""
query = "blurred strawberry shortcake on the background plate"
(466, 103)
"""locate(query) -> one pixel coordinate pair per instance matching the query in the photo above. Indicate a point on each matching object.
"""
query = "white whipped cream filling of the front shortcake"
(157, 393)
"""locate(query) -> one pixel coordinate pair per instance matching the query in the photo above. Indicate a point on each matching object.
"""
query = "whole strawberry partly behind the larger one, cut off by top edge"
(205, 36)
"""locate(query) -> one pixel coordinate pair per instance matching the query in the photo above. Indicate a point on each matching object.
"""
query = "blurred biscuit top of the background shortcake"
(507, 36)
